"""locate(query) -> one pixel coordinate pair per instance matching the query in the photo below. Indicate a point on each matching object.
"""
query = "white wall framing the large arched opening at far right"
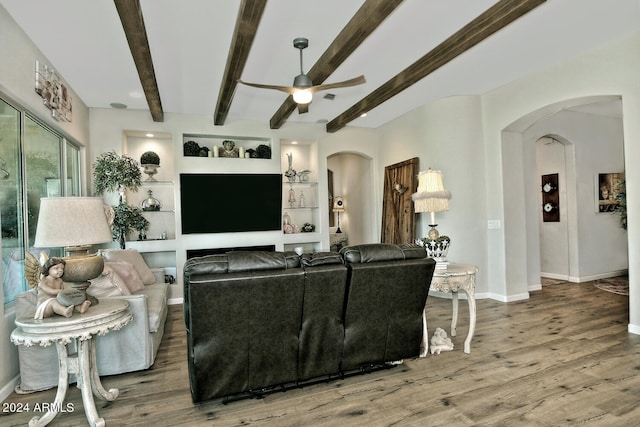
(610, 70)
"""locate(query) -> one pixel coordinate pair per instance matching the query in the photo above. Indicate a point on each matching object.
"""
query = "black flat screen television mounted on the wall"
(226, 203)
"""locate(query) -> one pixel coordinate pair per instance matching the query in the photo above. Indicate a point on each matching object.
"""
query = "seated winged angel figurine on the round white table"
(53, 298)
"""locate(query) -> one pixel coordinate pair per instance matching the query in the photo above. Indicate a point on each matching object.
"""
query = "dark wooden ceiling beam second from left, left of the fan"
(249, 15)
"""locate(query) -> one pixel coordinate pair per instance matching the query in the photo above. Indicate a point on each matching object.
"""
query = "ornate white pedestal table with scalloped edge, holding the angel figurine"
(109, 314)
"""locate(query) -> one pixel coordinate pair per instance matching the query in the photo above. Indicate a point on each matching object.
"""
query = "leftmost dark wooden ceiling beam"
(133, 24)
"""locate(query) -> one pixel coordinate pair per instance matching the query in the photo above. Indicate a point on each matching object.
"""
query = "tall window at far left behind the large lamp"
(35, 162)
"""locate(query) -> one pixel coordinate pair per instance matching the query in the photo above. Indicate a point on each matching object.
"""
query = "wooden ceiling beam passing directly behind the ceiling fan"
(362, 24)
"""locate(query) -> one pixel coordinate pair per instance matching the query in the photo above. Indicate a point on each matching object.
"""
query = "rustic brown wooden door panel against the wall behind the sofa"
(398, 214)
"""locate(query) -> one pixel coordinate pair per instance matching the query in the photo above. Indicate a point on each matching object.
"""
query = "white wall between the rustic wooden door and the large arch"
(447, 135)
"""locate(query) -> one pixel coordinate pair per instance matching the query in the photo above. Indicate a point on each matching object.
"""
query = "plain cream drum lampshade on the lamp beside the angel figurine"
(72, 221)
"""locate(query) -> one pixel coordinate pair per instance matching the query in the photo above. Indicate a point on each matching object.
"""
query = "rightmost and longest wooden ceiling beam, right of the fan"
(493, 19)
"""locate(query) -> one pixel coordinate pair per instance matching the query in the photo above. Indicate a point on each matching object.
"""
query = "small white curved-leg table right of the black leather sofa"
(456, 277)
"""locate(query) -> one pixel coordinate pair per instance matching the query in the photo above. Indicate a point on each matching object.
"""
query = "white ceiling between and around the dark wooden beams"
(190, 39)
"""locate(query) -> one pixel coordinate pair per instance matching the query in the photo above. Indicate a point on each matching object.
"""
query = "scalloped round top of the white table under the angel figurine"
(110, 313)
